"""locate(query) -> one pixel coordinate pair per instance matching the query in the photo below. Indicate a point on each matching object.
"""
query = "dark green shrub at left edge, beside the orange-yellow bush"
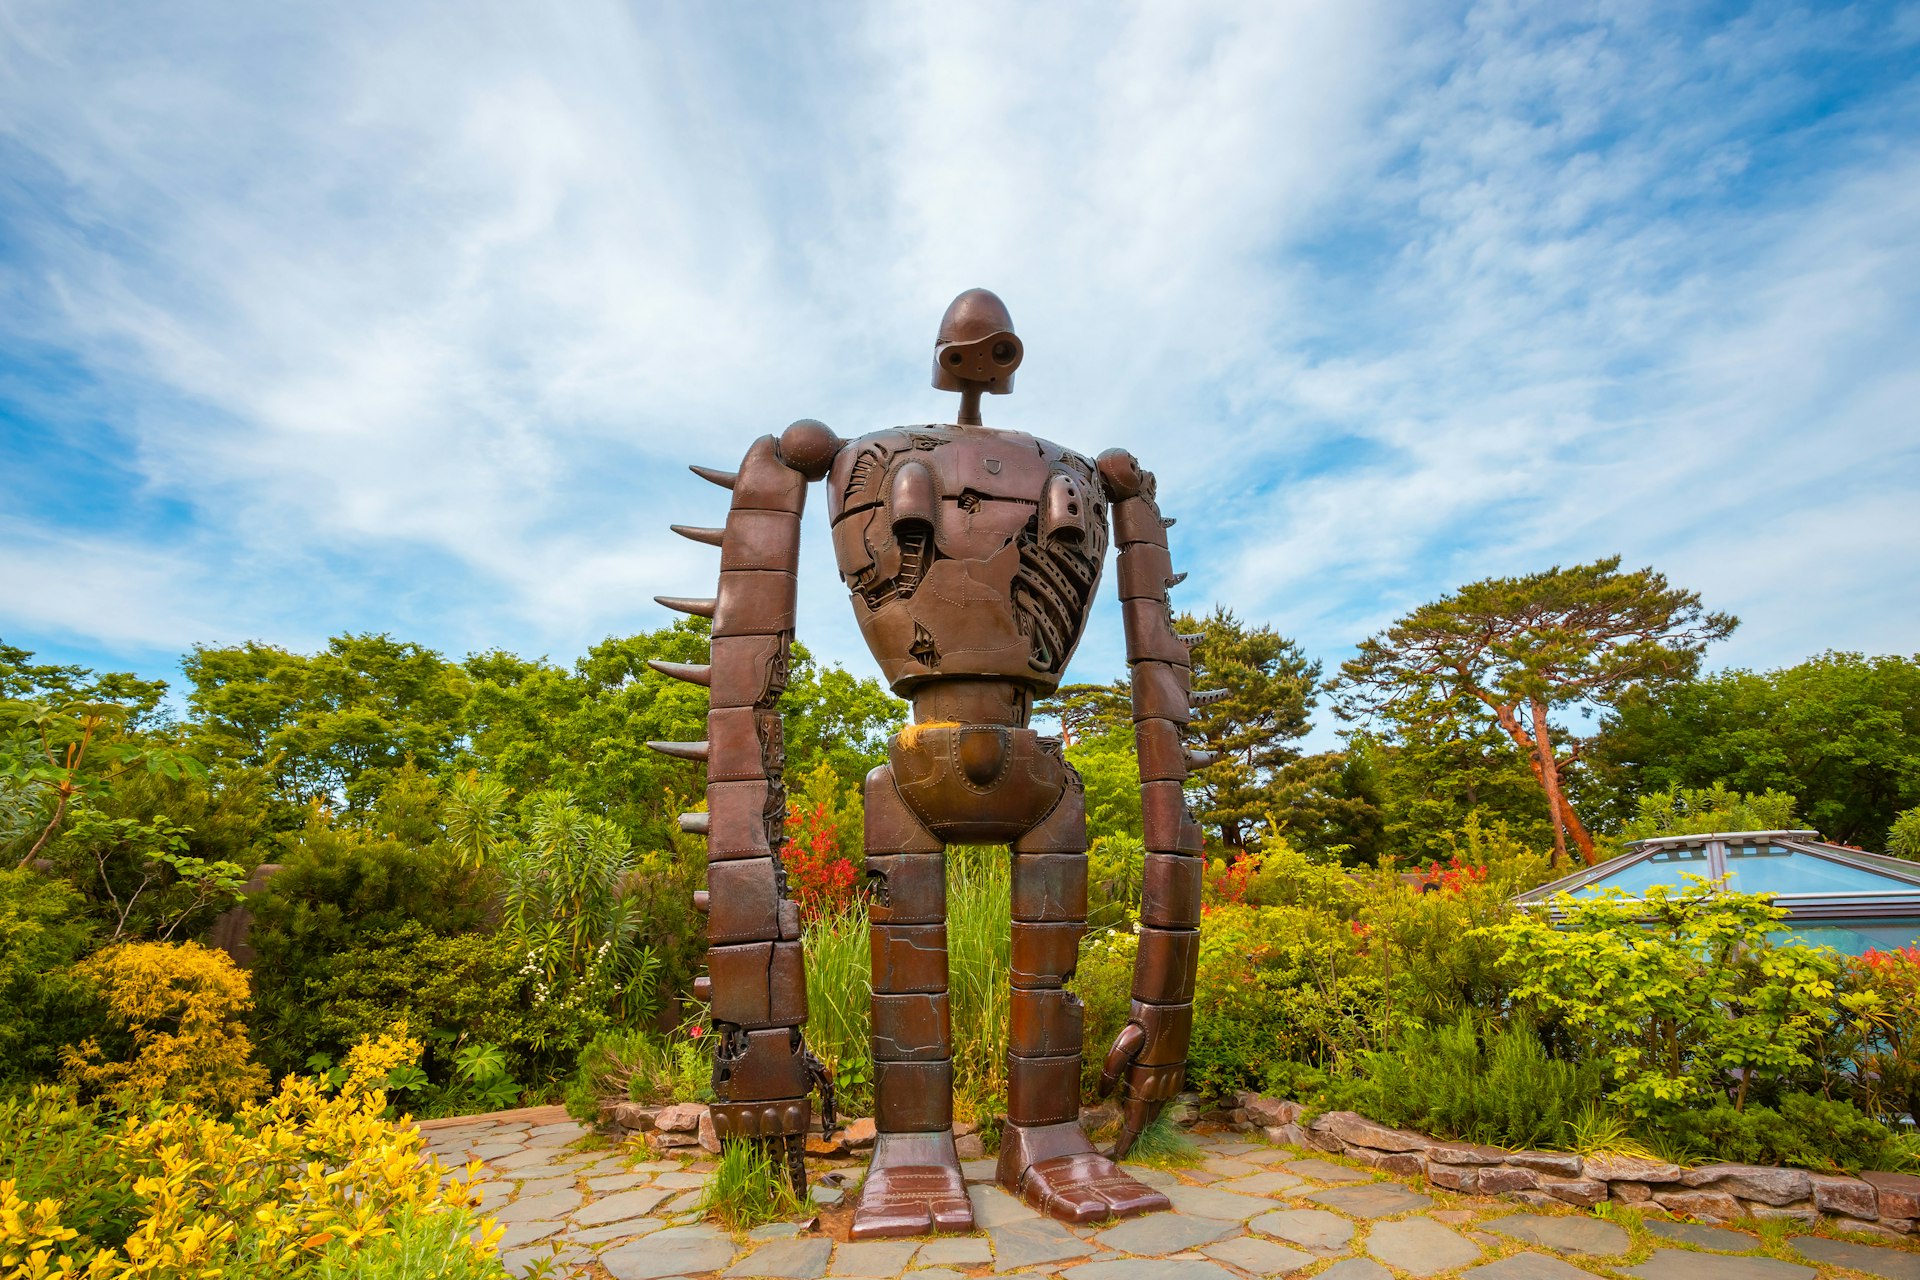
(43, 1003)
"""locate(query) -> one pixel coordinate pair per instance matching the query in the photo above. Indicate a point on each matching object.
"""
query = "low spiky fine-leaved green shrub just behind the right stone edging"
(1454, 1085)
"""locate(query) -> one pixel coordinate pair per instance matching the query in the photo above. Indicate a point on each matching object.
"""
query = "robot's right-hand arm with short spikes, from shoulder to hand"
(1149, 1058)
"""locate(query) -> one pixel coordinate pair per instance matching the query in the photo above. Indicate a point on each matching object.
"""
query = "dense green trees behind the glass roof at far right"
(1842, 732)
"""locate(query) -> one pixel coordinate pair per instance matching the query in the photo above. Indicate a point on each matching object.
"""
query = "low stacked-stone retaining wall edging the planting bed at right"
(1875, 1202)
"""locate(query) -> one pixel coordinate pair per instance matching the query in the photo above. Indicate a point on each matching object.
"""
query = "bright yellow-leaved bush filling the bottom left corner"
(279, 1191)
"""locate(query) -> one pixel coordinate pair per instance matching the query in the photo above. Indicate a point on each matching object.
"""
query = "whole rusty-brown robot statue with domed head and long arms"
(972, 557)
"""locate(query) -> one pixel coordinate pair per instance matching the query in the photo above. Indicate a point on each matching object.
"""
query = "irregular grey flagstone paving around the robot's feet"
(1245, 1214)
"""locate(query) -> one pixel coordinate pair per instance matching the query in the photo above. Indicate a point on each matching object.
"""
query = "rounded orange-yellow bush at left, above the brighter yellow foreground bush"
(180, 1007)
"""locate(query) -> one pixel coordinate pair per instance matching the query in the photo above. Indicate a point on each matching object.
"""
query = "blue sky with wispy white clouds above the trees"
(408, 318)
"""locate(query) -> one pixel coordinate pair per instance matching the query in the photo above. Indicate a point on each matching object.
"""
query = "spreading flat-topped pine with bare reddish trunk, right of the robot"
(1525, 648)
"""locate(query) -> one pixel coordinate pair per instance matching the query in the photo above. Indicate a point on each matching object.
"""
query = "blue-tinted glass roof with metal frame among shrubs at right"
(1833, 895)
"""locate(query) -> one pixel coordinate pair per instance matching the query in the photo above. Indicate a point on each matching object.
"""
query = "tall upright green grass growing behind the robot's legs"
(978, 964)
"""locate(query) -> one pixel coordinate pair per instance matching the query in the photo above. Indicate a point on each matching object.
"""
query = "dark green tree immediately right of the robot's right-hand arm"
(1270, 690)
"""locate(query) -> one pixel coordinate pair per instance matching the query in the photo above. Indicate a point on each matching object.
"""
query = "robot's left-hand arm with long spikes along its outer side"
(757, 984)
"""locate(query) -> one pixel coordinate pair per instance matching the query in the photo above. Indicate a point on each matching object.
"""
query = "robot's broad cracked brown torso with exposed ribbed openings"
(967, 552)
